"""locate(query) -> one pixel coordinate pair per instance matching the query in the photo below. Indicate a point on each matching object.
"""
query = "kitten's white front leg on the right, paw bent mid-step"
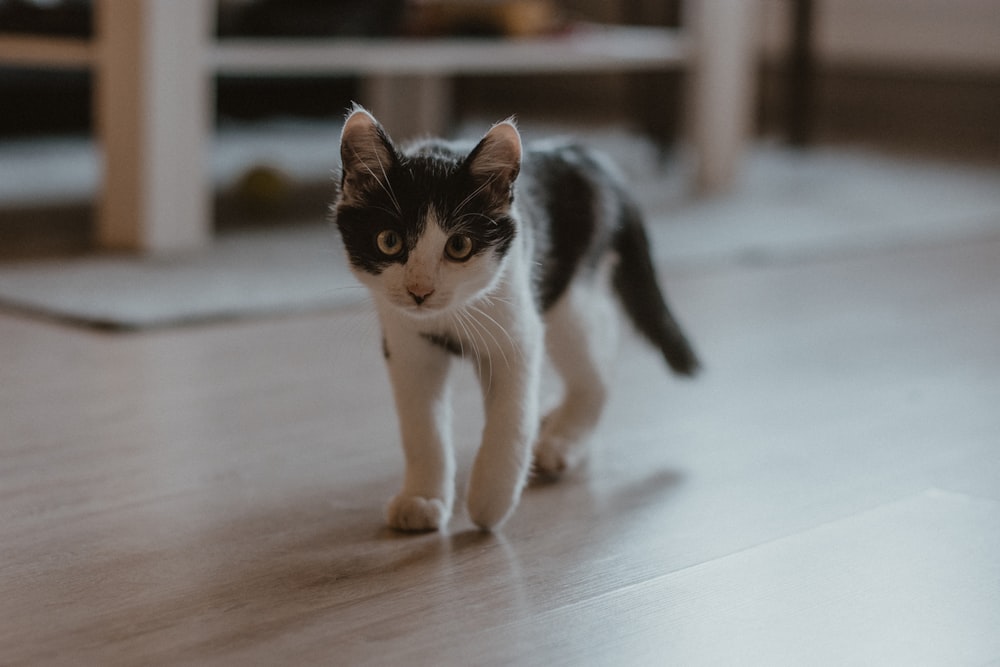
(511, 394)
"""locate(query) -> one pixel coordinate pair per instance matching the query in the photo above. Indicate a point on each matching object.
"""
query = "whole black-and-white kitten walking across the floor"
(499, 254)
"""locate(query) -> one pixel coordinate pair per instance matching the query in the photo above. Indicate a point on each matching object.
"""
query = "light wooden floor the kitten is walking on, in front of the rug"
(828, 493)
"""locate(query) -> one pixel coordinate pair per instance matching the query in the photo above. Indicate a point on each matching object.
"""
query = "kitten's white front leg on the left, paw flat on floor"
(419, 374)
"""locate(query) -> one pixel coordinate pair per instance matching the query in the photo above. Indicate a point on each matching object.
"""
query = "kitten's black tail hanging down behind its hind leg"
(635, 282)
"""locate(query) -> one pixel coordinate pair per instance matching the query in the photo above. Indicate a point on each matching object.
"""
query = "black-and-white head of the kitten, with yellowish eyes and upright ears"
(427, 228)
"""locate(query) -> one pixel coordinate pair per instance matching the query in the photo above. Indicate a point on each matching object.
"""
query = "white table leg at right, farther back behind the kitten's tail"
(722, 87)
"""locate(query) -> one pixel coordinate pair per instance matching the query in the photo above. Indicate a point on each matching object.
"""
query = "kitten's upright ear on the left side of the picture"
(366, 155)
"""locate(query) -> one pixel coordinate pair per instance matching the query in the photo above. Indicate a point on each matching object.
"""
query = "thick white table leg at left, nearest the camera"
(153, 110)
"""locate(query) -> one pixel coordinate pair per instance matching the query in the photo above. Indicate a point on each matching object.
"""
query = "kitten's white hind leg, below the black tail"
(581, 341)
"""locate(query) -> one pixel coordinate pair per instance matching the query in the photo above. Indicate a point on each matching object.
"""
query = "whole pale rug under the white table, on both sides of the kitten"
(790, 207)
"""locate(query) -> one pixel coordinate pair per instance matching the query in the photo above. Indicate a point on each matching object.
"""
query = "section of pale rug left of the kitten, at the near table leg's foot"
(292, 269)
